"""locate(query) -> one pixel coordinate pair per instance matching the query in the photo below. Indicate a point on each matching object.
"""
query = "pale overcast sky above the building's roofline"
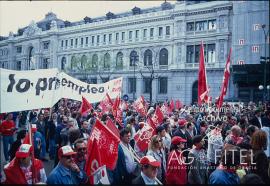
(18, 14)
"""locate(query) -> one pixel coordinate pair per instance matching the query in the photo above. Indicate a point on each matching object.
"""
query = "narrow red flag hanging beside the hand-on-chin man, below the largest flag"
(93, 161)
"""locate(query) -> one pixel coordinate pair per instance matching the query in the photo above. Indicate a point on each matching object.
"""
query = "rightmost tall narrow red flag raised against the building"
(225, 83)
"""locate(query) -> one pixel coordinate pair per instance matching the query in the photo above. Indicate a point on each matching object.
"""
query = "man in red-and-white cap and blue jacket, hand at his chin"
(66, 172)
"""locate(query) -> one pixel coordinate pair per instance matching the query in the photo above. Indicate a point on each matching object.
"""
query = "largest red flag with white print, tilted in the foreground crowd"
(107, 144)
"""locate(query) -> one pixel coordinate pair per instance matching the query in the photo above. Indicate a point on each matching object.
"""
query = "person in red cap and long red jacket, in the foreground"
(176, 168)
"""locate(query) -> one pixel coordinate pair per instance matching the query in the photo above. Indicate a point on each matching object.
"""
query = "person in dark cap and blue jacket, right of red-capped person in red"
(198, 170)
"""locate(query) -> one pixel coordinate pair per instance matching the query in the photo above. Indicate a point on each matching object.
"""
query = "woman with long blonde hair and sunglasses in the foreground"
(156, 149)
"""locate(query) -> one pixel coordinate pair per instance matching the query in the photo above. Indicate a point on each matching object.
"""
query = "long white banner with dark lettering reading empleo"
(35, 89)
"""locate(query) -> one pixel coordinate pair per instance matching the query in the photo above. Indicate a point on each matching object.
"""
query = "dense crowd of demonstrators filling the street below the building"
(230, 146)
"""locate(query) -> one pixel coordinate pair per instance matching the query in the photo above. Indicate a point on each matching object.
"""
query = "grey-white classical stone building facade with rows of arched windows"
(159, 42)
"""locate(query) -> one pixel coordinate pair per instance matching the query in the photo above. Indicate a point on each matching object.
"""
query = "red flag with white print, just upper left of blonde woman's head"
(143, 137)
